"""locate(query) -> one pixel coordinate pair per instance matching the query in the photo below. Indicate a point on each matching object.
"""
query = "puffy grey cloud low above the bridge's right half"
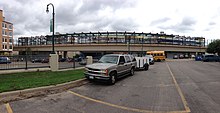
(185, 25)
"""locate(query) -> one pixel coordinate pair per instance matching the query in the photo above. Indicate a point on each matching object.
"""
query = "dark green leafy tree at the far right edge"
(214, 47)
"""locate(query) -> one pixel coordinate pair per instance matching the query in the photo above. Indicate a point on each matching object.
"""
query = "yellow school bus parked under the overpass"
(158, 55)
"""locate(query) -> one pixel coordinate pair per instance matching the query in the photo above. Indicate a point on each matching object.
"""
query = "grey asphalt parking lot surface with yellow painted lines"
(174, 86)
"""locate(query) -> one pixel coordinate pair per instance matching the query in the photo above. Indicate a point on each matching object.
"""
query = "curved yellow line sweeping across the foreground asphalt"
(123, 107)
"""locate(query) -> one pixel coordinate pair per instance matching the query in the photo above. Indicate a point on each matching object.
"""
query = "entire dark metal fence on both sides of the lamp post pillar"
(38, 61)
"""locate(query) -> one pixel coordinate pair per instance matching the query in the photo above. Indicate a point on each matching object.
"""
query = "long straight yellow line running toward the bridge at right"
(179, 90)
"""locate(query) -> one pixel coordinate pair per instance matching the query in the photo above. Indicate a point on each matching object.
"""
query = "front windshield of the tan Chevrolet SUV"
(109, 59)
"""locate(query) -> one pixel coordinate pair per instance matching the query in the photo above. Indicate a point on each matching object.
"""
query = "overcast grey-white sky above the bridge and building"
(179, 17)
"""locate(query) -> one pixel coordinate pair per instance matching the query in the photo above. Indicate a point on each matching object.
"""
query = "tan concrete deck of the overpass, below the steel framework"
(65, 49)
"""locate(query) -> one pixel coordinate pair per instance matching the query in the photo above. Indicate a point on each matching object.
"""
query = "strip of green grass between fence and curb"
(18, 81)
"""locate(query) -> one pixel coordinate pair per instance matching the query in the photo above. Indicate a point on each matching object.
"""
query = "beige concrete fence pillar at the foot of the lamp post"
(54, 64)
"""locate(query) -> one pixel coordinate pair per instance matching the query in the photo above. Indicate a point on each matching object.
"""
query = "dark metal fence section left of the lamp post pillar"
(23, 62)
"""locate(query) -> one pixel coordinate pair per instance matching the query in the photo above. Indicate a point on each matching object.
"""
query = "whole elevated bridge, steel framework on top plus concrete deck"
(99, 43)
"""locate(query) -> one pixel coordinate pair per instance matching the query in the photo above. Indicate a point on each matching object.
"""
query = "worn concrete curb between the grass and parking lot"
(40, 91)
